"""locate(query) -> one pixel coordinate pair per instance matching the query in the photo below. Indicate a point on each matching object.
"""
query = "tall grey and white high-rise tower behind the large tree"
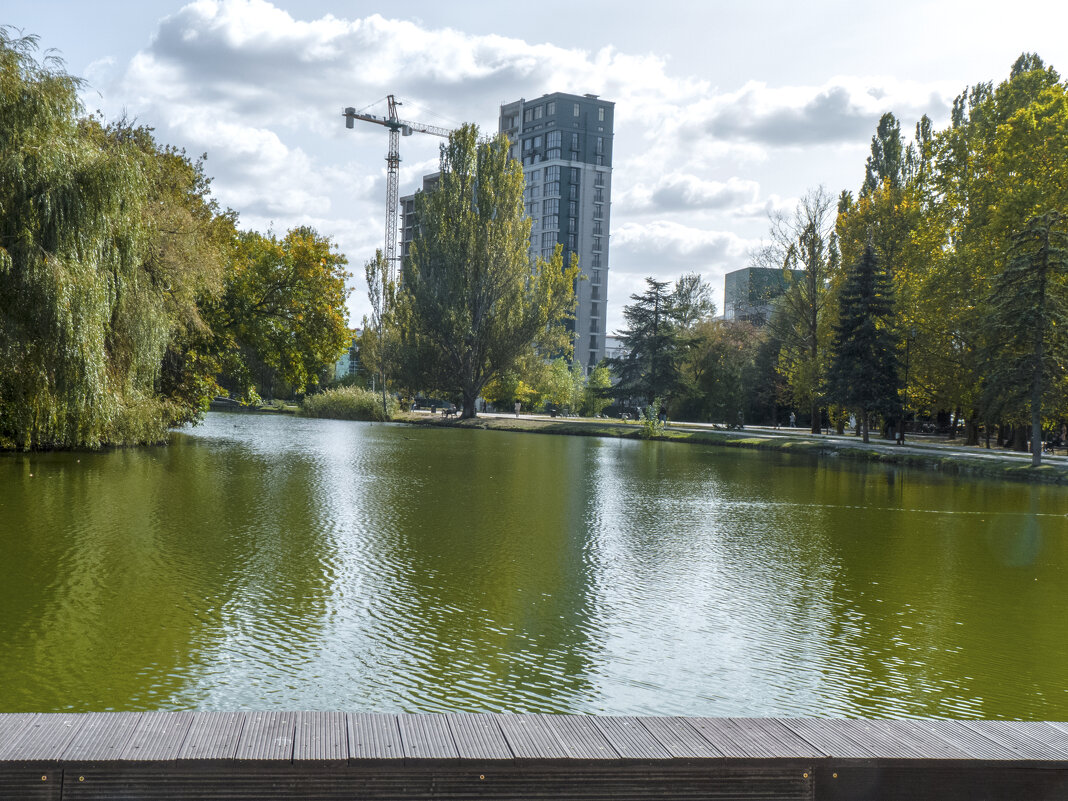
(566, 145)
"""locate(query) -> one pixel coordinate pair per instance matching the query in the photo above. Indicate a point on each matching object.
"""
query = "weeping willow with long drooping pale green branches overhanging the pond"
(82, 328)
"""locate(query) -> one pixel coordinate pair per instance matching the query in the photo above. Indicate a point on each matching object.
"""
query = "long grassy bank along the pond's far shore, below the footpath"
(1004, 466)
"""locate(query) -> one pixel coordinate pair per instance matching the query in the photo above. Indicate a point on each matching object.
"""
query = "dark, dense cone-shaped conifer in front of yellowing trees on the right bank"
(865, 370)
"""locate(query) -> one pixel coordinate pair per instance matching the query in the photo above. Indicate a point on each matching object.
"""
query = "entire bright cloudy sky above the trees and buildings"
(725, 112)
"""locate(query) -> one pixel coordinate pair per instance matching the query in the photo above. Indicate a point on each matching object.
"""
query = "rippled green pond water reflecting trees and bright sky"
(270, 562)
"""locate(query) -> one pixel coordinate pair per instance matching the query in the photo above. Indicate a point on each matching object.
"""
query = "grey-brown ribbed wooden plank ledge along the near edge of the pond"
(339, 756)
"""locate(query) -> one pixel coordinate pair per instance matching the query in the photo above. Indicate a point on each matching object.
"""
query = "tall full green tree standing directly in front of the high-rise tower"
(473, 303)
